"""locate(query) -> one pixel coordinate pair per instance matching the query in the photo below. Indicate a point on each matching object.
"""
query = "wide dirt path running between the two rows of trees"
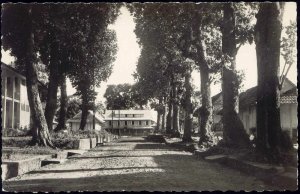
(133, 164)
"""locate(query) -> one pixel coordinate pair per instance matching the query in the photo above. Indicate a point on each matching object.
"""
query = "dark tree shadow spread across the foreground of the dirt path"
(172, 172)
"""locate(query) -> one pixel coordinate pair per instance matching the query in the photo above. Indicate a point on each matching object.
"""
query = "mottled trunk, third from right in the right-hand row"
(205, 112)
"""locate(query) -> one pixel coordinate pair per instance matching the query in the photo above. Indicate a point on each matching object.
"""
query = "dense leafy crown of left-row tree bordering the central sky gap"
(93, 48)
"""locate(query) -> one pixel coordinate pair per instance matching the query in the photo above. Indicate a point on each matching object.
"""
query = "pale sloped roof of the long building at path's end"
(147, 114)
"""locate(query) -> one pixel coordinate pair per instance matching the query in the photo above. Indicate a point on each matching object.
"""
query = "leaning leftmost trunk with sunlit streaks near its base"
(40, 131)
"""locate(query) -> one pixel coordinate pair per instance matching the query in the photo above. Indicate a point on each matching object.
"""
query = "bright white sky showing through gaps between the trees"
(129, 51)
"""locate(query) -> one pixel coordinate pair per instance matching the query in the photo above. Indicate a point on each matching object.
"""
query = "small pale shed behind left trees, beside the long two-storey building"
(74, 122)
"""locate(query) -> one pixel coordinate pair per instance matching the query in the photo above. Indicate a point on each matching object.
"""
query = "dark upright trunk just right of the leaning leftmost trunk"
(51, 103)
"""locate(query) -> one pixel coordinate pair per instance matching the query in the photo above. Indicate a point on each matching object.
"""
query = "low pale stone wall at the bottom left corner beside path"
(15, 168)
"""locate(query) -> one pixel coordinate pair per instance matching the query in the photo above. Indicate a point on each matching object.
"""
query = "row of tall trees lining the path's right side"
(177, 38)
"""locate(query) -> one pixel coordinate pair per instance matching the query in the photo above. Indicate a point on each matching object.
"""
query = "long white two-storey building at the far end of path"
(130, 122)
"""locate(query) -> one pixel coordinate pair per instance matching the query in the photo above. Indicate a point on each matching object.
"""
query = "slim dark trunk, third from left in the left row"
(63, 105)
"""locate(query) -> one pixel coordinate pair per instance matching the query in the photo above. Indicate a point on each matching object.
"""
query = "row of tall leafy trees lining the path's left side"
(71, 40)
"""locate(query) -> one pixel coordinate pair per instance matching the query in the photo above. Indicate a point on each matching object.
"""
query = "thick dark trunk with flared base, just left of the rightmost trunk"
(234, 132)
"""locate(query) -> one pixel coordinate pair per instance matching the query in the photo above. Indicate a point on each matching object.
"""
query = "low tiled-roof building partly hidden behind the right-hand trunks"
(247, 109)
